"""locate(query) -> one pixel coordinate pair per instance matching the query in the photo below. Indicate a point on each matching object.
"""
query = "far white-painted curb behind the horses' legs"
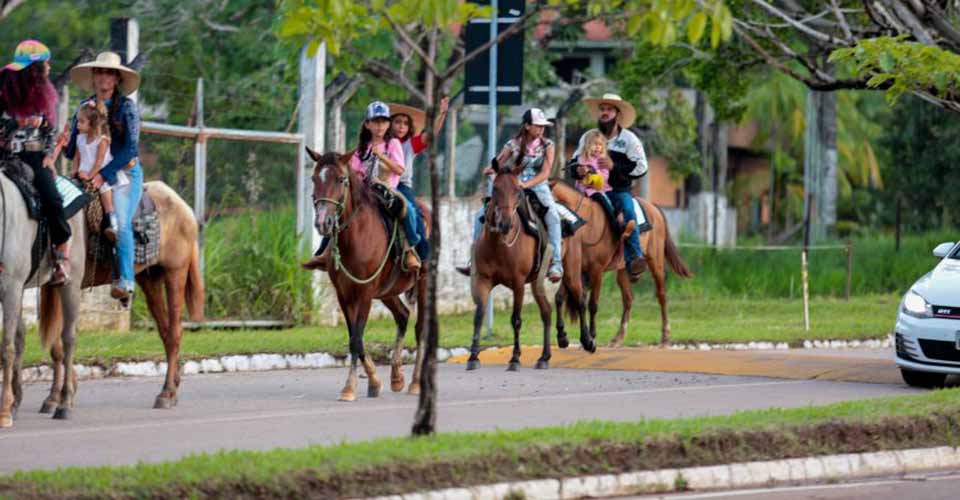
(269, 361)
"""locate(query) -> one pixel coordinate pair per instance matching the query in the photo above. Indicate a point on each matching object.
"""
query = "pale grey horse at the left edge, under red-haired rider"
(16, 252)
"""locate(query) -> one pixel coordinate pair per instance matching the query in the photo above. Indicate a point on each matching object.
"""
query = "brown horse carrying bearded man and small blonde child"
(599, 247)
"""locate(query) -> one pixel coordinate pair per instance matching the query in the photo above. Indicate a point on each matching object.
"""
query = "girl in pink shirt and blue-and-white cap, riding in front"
(377, 159)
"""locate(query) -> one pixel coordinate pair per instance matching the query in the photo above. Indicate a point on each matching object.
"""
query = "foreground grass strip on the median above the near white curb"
(279, 468)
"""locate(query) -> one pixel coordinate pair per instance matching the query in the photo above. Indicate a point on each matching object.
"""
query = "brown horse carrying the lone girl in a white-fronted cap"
(504, 254)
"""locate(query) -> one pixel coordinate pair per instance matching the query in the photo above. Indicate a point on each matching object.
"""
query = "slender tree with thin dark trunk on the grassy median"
(417, 30)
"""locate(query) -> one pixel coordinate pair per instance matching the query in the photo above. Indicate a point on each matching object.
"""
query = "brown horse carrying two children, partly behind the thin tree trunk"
(362, 268)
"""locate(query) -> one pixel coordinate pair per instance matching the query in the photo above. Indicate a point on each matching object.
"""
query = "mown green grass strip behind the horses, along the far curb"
(692, 320)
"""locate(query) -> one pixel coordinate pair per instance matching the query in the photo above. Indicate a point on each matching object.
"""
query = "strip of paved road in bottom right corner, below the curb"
(933, 486)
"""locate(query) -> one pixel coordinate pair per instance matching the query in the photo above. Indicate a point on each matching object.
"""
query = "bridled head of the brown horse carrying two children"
(332, 181)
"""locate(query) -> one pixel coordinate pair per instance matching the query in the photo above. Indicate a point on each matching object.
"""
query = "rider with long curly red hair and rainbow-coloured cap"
(28, 104)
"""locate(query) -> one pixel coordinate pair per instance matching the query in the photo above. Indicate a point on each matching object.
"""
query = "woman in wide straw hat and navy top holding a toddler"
(111, 82)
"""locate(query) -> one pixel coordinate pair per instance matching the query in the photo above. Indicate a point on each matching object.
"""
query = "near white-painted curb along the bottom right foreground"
(717, 477)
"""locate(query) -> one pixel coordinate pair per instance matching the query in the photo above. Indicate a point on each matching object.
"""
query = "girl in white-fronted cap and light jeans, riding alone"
(530, 153)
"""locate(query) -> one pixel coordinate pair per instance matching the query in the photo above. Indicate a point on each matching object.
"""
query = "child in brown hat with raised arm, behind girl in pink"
(407, 124)
